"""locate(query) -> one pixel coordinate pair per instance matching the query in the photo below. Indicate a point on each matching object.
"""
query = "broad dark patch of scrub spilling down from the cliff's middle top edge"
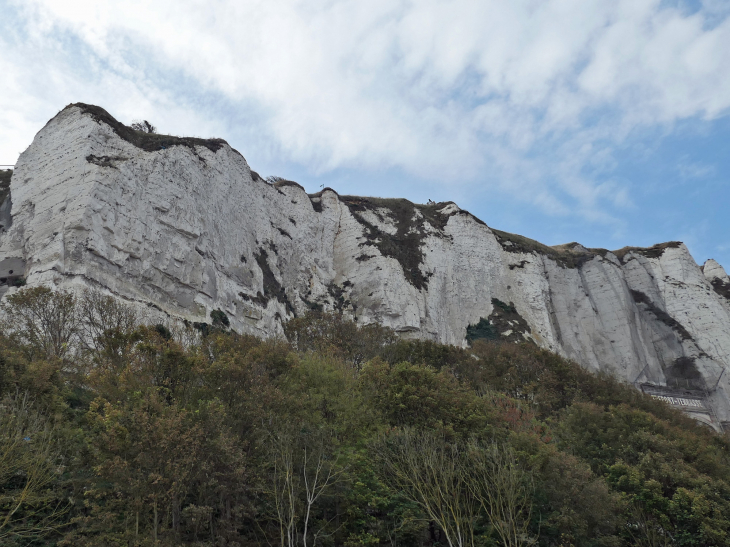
(412, 224)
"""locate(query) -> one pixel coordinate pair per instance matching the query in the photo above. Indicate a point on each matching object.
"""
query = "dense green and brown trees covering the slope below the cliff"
(116, 433)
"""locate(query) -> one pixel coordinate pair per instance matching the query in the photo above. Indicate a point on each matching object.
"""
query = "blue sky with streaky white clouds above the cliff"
(604, 122)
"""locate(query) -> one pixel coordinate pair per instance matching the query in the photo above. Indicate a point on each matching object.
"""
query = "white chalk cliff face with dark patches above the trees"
(185, 226)
